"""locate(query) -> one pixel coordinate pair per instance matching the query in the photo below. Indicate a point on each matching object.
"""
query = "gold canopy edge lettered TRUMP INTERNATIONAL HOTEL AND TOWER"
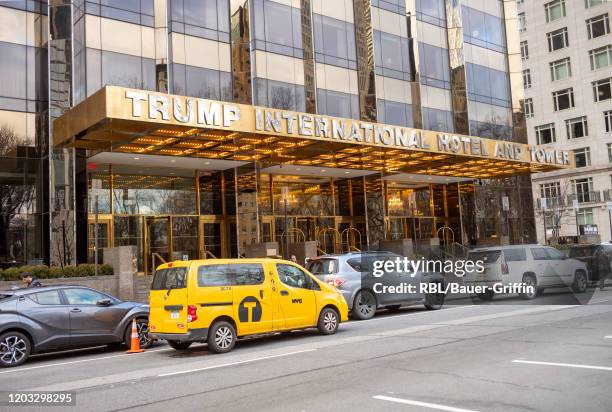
(143, 106)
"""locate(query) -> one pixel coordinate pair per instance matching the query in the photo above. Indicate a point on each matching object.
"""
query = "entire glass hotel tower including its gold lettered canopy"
(387, 120)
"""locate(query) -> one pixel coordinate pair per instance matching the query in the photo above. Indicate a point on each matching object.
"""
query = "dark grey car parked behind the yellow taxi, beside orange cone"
(52, 318)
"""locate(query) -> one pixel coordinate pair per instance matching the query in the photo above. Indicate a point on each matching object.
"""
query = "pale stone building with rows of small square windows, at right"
(566, 49)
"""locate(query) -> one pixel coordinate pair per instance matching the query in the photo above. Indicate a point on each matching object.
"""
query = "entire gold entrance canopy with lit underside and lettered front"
(136, 121)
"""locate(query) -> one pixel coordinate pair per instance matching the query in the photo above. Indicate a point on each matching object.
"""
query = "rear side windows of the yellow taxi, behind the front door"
(237, 274)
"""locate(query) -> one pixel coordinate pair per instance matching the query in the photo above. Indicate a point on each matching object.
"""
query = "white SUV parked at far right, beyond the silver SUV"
(539, 266)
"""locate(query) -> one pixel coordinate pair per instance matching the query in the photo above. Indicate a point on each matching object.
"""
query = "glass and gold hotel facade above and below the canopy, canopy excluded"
(376, 61)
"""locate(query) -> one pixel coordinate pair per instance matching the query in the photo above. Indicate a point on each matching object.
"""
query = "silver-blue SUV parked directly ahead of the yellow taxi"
(351, 274)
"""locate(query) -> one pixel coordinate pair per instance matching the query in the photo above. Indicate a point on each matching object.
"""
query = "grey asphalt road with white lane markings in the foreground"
(489, 357)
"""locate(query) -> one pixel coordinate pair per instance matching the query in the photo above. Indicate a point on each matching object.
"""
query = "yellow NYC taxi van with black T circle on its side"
(219, 300)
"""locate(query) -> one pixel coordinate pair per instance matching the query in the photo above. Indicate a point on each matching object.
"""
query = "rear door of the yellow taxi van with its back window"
(168, 300)
